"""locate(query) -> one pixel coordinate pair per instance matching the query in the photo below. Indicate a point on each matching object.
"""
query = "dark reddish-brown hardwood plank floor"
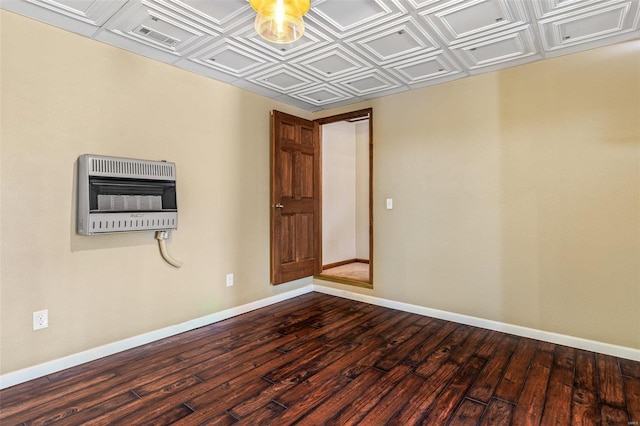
(318, 359)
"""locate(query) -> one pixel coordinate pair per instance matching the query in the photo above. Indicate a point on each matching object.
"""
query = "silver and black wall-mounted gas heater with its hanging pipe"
(123, 195)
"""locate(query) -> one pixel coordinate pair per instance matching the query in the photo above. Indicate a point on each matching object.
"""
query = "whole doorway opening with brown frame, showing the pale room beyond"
(347, 207)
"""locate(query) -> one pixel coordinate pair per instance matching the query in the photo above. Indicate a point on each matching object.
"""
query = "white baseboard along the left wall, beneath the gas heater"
(30, 373)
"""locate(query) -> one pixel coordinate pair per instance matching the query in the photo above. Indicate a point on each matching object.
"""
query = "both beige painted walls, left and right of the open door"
(516, 194)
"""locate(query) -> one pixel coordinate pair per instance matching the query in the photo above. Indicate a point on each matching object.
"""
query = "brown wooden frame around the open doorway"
(367, 112)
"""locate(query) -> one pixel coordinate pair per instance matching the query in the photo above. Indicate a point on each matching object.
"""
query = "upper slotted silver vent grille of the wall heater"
(139, 169)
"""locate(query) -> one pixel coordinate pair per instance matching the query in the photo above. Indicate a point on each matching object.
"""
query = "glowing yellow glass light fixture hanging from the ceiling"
(280, 21)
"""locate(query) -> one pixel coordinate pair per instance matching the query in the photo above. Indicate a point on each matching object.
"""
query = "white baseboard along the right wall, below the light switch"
(546, 336)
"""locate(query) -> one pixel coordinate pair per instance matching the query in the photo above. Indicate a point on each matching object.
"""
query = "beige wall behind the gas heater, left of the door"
(64, 95)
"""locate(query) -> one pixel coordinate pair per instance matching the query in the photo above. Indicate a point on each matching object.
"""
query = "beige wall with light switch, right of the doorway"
(517, 196)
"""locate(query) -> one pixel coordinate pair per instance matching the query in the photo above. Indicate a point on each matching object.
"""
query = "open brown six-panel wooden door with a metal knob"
(295, 198)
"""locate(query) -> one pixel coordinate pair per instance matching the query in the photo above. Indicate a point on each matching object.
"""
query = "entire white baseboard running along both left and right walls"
(30, 373)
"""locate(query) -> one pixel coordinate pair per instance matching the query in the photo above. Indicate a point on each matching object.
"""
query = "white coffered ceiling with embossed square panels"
(352, 50)
